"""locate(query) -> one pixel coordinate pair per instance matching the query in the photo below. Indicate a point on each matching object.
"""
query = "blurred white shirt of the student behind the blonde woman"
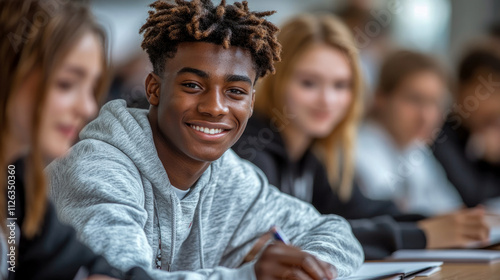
(412, 177)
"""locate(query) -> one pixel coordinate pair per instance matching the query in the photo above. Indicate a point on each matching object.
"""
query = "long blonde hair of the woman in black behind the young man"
(336, 150)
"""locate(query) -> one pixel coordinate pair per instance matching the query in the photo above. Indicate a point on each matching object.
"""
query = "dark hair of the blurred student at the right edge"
(480, 57)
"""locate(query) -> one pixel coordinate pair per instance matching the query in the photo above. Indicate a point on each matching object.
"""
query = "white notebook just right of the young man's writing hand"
(394, 270)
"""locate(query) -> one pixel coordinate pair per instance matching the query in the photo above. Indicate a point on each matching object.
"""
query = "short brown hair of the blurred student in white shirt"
(401, 64)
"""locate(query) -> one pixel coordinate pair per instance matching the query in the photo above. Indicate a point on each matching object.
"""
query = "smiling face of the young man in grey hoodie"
(205, 99)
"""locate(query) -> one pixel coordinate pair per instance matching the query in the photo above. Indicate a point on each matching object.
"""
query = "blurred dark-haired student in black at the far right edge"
(469, 145)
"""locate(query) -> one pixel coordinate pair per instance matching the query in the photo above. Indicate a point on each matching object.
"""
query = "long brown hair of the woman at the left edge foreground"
(36, 36)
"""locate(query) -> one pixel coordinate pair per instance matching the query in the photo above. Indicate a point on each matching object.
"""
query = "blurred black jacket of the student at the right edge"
(475, 180)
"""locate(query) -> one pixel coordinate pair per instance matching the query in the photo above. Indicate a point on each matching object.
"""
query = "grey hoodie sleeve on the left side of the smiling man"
(105, 204)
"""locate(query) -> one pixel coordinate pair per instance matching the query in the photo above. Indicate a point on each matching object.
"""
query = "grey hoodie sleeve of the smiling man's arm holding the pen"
(328, 237)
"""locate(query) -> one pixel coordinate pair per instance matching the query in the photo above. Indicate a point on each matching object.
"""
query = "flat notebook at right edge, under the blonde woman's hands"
(455, 255)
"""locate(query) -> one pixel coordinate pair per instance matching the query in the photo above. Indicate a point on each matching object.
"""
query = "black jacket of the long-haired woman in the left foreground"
(55, 253)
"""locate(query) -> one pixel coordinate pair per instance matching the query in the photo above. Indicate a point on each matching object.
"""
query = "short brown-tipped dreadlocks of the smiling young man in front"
(170, 24)
